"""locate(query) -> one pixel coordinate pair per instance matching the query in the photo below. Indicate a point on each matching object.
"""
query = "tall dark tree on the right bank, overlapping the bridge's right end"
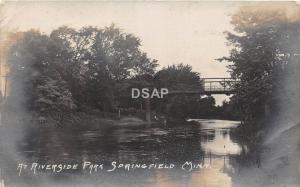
(263, 43)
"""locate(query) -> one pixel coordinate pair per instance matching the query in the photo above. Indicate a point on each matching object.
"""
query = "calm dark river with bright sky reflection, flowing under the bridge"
(198, 154)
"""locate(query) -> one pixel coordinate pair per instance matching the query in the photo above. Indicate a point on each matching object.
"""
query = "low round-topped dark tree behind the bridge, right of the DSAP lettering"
(177, 78)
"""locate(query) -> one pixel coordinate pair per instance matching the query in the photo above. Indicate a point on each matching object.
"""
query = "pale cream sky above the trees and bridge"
(171, 32)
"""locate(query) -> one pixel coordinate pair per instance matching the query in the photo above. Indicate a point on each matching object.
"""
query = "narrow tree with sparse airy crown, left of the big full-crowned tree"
(74, 53)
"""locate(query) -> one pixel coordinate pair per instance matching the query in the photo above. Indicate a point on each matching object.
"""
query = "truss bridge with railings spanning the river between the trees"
(211, 86)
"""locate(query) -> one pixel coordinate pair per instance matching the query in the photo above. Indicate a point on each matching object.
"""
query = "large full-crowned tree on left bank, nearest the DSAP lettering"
(113, 59)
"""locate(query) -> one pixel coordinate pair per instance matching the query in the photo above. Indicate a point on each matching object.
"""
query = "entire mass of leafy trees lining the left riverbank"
(72, 68)
